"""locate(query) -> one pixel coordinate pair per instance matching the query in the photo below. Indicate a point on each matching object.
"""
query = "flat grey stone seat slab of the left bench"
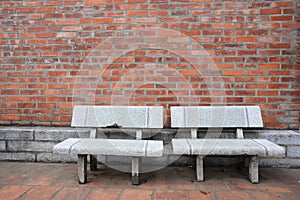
(112, 147)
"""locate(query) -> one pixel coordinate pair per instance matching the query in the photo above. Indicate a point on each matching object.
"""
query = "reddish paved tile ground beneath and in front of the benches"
(59, 181)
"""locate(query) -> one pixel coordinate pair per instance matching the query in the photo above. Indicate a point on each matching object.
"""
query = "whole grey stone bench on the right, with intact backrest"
(219, 117)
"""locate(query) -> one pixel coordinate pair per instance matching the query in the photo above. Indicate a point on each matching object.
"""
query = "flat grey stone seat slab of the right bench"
(231, 147)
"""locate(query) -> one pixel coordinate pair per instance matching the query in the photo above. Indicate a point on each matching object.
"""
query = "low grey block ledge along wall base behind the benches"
(24, 139)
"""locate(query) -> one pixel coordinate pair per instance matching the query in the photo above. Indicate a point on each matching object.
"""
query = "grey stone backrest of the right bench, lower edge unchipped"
(216, 117)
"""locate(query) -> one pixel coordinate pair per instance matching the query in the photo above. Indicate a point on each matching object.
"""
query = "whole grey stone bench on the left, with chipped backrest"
(124, 117)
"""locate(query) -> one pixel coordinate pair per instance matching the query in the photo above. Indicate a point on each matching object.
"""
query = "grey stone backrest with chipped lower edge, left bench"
(118, 116)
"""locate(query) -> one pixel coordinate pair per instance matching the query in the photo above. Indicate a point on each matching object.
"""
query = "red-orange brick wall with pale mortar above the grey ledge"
(55, 54)
